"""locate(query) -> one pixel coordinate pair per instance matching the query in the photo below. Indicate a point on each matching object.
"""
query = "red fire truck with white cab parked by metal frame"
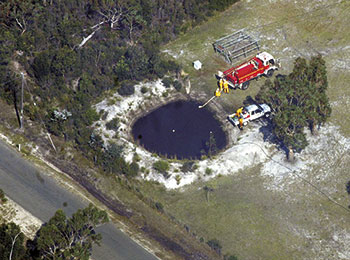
(263, 64)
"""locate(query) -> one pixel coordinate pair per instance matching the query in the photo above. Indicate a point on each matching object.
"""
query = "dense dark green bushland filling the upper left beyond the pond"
(71, 52)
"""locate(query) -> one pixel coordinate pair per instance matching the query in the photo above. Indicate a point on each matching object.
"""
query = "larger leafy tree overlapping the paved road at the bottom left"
(70, 238)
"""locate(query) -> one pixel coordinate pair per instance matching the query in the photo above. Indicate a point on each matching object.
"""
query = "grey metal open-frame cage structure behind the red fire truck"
(235, 45)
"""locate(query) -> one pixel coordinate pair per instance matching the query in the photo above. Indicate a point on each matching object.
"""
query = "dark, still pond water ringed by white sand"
(180, 129)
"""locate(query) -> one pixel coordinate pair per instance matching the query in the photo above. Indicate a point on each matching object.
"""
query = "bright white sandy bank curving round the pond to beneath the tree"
(250, 149)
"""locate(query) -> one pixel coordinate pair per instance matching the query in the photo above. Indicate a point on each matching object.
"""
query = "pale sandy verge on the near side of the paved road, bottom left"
(12, 212)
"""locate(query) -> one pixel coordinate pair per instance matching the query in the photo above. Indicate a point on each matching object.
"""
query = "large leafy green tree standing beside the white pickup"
(298, 100)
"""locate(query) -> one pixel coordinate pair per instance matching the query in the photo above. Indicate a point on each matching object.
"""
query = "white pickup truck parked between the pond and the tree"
(250, 113)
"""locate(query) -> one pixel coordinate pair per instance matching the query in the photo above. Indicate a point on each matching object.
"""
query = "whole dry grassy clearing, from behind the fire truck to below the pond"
(249, 220)
